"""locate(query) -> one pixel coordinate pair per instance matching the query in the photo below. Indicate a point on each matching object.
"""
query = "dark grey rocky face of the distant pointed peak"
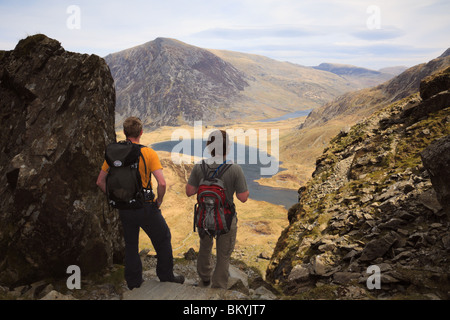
(166, 82)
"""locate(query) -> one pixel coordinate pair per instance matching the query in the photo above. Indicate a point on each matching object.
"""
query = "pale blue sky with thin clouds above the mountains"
(371, 34)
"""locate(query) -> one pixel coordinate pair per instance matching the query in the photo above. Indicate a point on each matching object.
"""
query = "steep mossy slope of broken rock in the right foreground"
(372, 201)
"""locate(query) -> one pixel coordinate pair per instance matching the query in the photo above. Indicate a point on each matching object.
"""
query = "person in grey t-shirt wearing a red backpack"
(215, 181)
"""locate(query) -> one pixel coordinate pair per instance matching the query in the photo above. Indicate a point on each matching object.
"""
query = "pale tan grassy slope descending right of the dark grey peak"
(283, 86)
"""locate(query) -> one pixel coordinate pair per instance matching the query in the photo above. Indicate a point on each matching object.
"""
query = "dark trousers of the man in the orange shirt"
(153, 223)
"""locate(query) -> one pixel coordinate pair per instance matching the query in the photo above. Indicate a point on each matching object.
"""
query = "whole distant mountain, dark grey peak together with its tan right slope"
(168, 82)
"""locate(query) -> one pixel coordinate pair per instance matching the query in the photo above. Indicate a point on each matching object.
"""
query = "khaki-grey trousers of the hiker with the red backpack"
(205, 264)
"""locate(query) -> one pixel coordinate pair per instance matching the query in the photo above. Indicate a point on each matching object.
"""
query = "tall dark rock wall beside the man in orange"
(57, 111)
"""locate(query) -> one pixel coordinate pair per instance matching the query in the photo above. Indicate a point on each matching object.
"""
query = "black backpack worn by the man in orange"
(124, 188)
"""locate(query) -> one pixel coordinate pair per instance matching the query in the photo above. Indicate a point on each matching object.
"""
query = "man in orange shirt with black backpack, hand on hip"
(141, 209)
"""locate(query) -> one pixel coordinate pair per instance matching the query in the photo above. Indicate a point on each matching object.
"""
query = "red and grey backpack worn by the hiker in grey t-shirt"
(213, 213)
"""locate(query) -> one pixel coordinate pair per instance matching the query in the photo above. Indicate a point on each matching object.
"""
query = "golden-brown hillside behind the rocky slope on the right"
(326, 121)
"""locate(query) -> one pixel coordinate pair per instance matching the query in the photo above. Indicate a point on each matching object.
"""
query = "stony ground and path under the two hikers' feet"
(244, 283)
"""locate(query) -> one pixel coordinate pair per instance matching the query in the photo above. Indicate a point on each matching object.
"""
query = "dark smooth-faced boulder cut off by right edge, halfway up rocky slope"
(436, 159)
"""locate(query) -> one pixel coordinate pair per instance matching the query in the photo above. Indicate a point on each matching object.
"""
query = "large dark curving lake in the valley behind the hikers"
(278, 196)
